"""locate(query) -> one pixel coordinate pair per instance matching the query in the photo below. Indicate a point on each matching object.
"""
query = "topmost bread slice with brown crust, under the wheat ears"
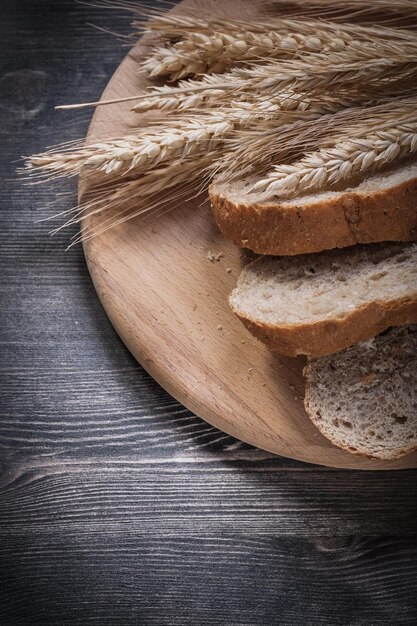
(382, 207)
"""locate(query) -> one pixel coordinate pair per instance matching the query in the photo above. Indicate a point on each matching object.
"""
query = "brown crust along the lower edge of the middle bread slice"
(332, 335)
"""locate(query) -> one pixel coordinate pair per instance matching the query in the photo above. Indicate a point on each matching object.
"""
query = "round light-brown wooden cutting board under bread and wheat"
(168, 302)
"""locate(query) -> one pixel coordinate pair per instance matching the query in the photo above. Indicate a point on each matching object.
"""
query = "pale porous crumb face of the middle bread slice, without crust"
(329, 285)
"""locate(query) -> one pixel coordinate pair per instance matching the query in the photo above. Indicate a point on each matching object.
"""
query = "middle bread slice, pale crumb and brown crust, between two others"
(321, 303)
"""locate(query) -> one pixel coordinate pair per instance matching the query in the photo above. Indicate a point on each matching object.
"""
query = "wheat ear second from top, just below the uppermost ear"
(313, 74)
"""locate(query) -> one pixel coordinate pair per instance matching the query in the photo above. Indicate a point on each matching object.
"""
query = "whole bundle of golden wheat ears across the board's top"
(304, 99)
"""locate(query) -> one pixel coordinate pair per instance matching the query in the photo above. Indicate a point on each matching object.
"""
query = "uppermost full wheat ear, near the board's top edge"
(223, 47)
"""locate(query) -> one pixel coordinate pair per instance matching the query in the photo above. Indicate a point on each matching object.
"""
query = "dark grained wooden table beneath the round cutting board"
(117, 505)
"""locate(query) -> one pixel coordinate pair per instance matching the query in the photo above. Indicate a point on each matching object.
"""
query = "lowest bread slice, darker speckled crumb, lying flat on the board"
(364, 399)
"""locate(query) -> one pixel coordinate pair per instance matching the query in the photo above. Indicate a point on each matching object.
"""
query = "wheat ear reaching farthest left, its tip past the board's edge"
(163, 142)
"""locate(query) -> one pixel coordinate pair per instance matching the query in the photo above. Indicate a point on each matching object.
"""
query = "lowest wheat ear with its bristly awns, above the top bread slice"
(324, 150)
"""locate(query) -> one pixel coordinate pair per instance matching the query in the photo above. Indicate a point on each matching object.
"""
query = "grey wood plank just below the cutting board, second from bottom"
(196, 493)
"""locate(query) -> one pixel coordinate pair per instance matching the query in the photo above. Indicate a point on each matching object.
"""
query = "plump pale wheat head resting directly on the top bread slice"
(369, 151)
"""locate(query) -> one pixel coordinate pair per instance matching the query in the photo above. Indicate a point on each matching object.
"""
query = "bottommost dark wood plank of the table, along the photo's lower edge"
(118, 578)
